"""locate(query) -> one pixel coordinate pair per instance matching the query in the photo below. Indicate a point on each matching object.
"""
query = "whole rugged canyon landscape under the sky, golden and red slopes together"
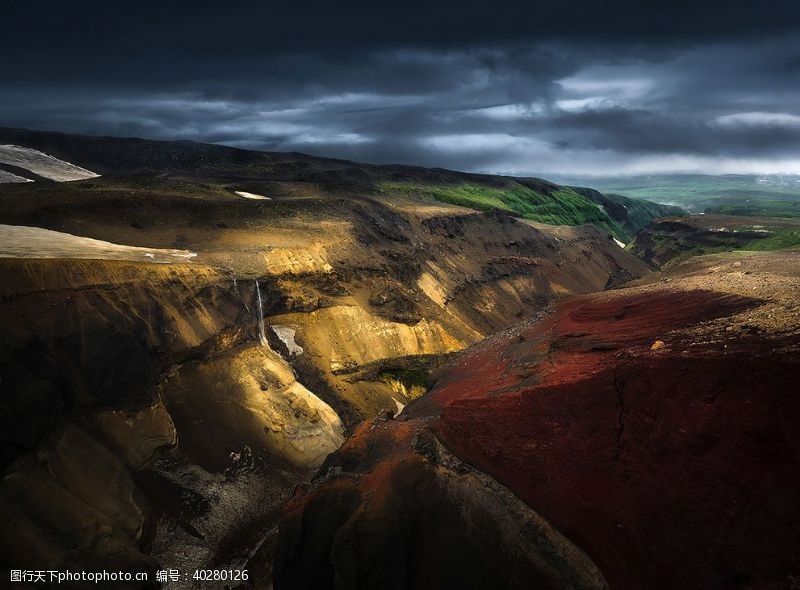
(337, 375)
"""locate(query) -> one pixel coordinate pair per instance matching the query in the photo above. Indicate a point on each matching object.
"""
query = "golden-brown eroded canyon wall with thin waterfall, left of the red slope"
(175, 358)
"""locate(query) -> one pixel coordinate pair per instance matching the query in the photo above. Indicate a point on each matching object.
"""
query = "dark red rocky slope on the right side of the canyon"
(643, 437)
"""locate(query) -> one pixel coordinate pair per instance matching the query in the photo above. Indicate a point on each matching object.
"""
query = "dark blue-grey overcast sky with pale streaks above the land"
(562, 87)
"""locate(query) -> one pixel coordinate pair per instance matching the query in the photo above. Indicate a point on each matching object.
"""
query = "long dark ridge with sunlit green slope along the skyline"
(284, 174)
